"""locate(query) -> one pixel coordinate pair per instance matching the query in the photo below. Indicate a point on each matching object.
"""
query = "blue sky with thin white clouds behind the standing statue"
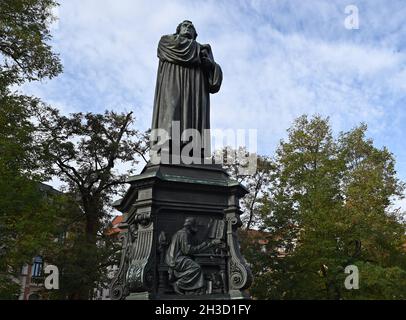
(280, 59)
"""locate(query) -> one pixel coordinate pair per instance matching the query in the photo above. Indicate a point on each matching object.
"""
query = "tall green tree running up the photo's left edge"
(25, 212)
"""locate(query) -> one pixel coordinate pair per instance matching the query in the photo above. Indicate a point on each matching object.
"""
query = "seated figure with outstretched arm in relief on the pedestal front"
(184, 273)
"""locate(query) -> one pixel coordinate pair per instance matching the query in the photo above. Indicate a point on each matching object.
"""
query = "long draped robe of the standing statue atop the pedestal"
(183, 85)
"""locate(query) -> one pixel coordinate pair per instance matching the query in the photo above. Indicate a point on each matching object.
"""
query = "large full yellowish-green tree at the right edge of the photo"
(330, 207)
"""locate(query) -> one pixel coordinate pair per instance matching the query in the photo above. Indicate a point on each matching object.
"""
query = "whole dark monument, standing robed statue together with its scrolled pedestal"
(180, 219)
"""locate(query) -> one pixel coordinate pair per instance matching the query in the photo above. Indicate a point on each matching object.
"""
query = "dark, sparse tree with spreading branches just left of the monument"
(85, 150)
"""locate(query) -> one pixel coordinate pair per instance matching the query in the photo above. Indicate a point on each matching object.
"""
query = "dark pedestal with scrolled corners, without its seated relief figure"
(155, 208)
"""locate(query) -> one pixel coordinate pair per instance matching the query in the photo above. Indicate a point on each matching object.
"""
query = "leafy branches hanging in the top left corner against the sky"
(24, 41)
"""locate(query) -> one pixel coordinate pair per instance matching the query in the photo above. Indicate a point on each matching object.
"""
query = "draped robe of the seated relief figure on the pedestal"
(188, 274)
